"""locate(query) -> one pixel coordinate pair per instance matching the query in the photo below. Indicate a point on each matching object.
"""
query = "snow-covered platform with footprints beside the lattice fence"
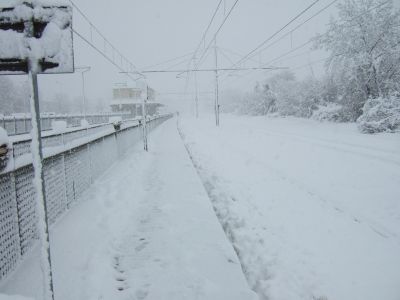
(146, 230)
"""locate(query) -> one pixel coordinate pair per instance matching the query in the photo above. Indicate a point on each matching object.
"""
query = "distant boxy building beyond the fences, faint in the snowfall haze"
(128, 99)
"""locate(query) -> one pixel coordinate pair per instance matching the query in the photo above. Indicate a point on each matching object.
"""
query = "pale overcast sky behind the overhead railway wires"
(152, 31)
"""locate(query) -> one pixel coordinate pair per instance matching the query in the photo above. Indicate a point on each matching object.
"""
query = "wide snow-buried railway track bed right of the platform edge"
(313, 209)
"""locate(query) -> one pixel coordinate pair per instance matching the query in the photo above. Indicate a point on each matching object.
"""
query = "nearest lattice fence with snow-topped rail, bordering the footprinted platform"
(70, 167)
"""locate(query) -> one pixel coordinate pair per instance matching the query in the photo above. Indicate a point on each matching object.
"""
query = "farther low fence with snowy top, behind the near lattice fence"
(21, 124)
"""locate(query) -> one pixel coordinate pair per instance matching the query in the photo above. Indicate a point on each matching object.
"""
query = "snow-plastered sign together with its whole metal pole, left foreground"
(29, 35)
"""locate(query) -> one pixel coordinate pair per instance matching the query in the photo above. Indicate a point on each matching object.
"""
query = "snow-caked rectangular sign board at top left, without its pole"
(36, 30)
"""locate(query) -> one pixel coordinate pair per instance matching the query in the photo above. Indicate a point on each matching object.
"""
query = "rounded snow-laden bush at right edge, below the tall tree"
(380, 114)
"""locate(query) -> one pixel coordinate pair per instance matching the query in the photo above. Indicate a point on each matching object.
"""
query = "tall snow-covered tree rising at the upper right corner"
(364, 47)
